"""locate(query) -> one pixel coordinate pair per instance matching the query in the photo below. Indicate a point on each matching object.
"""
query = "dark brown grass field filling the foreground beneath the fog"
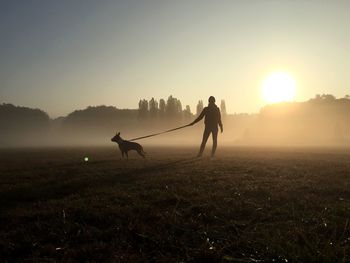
(247, 205)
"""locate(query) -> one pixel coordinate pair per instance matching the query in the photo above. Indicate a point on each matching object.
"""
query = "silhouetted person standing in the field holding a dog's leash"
(212, 121)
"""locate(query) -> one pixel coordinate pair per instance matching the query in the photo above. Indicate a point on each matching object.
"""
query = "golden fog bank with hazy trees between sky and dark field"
(322, 121)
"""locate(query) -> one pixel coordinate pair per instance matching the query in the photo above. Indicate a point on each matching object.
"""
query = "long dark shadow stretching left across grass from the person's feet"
(54, 189)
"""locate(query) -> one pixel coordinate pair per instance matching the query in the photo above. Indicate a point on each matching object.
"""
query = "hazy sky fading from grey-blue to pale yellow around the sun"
(64, 55)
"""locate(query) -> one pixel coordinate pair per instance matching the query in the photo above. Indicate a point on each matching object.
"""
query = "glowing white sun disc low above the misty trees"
(278, 87)
